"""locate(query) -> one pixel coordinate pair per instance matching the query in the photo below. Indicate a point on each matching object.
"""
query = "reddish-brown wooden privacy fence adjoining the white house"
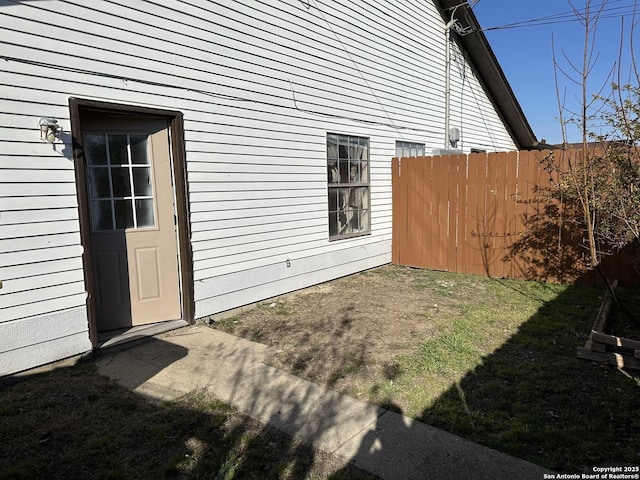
(489, 214)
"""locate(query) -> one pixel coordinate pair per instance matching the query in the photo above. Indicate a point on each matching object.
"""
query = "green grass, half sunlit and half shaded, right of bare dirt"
(503, 372)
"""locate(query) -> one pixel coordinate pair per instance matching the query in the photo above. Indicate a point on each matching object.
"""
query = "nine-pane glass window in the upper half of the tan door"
(120, 183)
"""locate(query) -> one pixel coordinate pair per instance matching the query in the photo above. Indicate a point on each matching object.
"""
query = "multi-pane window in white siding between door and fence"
(348, 181)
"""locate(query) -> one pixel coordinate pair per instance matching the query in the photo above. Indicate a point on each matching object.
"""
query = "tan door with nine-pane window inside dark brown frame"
(133, 234)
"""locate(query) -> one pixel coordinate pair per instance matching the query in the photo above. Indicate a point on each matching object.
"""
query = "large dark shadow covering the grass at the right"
(534, 399)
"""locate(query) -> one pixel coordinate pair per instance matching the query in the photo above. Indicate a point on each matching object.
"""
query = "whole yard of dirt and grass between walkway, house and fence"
(490, 360)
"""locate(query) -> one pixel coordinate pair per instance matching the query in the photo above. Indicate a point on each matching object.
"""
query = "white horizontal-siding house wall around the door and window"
(260, 84)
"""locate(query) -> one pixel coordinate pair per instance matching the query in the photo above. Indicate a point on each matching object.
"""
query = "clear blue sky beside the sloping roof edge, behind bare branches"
(526, 55)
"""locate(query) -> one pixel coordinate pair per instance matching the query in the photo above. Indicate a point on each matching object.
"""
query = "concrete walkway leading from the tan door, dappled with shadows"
(384, 443)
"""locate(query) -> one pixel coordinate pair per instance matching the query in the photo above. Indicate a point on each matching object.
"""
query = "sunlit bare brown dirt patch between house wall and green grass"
(355, 326)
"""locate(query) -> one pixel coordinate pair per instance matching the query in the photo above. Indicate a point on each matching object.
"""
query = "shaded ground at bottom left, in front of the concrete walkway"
(74, 423)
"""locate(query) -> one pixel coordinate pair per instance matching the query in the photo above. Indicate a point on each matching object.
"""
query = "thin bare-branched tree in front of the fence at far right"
(601, 178)
